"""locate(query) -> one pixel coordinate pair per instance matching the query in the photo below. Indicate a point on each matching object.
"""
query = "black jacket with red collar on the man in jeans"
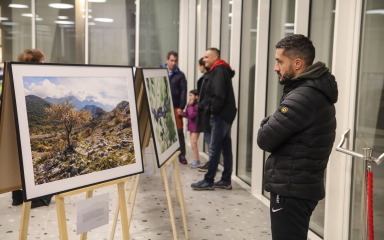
(216, 97)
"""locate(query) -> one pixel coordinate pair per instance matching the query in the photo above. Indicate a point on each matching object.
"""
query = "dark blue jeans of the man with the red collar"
(220, 142)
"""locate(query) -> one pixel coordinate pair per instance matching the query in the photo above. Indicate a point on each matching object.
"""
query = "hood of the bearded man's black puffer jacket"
(318, 76)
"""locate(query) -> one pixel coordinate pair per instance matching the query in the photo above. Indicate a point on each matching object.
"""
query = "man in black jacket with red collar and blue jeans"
(217, 110)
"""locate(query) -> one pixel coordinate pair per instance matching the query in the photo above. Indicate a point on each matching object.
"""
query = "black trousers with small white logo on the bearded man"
(290, 217)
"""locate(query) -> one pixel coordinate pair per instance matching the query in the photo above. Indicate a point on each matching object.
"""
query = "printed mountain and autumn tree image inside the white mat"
(71, 137)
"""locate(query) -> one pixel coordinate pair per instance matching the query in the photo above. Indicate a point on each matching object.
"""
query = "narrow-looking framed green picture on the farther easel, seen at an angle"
(163, 122)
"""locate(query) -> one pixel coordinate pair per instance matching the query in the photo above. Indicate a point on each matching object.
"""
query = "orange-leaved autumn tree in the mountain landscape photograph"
(64, 113)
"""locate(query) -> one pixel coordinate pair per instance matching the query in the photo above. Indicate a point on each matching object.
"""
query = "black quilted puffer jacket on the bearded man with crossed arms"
(300, 135)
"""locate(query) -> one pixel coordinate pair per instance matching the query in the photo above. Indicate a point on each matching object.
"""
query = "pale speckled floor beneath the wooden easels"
(219, 214)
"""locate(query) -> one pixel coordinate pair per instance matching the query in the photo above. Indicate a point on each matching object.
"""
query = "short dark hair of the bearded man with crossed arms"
(298, 46)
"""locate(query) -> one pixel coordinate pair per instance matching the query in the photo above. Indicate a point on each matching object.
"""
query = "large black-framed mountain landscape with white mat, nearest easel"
(76, 125)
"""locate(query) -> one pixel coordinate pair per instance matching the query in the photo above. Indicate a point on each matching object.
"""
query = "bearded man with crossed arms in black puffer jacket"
(299, 136)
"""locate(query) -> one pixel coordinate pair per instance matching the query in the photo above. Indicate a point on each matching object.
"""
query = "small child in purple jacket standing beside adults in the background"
(191, 114)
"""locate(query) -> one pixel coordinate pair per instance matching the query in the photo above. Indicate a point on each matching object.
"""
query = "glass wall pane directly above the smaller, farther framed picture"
(159, 31)
